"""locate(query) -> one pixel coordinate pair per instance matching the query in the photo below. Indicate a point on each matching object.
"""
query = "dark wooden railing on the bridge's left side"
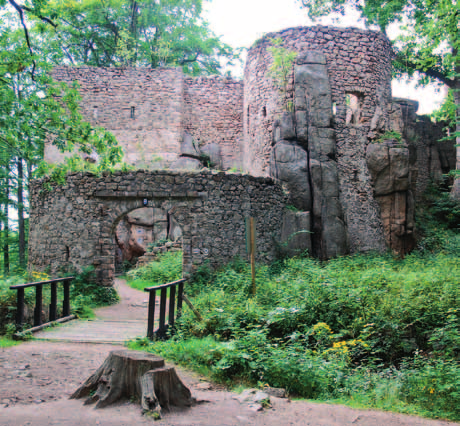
(39, 301)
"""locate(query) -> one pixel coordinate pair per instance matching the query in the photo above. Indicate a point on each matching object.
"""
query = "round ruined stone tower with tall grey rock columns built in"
(332, 65)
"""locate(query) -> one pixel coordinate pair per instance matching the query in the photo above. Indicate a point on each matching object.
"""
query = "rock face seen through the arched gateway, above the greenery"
(143, 235)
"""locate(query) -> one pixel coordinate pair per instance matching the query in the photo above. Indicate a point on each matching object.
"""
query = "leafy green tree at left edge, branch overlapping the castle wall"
(33, 109)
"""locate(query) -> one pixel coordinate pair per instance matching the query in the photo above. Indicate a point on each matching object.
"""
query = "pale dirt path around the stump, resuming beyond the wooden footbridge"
(37, 377)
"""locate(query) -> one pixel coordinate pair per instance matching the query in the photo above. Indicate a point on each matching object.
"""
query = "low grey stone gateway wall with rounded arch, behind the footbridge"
(74, 225)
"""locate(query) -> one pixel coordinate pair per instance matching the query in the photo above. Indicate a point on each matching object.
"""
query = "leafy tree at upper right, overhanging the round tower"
(429, 44)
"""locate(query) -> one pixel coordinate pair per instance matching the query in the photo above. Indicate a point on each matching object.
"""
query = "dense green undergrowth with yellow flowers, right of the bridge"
(364, 330)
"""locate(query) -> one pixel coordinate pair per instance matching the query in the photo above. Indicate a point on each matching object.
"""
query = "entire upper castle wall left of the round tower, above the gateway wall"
(148, 111)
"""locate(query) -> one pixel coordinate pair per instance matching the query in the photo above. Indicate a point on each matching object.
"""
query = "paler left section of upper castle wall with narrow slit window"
(142, 107)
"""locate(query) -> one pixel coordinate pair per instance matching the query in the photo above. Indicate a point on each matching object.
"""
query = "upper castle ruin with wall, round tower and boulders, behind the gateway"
(330, 148)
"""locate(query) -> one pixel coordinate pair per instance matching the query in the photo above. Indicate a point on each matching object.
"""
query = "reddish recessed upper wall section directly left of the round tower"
(213, 113)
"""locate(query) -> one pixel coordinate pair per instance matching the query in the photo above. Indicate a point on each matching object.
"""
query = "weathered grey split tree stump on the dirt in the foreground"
(135, 375)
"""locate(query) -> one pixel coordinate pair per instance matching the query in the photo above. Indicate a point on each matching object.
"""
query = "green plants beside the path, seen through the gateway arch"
(167, 268)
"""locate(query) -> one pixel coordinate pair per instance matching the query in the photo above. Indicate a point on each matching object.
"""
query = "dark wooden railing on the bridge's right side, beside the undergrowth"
(176, 292)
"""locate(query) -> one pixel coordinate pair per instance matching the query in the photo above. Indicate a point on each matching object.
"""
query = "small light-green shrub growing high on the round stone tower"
(281, 69)
